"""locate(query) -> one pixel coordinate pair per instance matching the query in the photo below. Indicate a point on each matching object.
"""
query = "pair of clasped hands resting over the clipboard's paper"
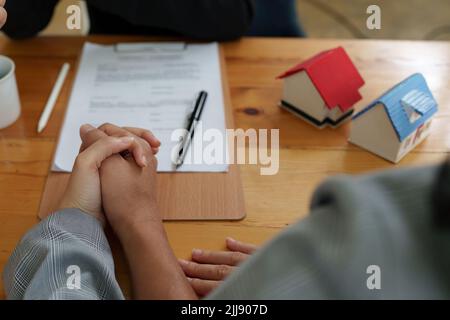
(114, 176)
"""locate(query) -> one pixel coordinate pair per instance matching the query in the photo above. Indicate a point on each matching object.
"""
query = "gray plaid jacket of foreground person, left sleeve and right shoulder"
(367, 237)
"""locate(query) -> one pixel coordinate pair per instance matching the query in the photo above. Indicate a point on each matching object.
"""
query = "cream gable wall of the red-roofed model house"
(299, 91)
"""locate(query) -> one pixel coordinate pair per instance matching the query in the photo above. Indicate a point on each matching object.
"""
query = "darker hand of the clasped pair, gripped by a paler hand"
(128, 191)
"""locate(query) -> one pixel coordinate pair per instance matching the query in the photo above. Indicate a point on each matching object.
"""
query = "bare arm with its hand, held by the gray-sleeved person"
(129, 201)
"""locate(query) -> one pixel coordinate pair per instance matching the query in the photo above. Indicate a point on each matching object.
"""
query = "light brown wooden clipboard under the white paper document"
(180, 196)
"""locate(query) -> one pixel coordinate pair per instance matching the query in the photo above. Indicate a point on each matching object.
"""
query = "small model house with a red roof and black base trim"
(323, 89)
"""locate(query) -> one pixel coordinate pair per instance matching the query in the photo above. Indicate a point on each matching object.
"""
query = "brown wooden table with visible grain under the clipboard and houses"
(307, 155)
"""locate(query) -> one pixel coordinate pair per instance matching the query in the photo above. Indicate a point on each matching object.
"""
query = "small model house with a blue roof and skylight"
(397, 121)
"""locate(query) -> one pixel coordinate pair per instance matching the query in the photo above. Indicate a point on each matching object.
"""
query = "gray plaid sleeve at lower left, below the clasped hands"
(66, 256)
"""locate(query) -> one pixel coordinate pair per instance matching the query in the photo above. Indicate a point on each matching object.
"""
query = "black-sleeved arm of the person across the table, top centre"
(201, 19)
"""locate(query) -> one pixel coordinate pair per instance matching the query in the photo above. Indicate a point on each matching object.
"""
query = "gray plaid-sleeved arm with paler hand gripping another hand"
(67, 255)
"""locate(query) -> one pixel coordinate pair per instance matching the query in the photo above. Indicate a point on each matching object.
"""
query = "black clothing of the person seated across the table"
(200, 19)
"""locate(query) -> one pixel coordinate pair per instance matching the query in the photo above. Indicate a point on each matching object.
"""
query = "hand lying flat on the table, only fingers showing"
(208, 269)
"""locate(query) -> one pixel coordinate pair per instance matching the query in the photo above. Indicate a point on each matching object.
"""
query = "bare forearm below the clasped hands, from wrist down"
(155, 271)
